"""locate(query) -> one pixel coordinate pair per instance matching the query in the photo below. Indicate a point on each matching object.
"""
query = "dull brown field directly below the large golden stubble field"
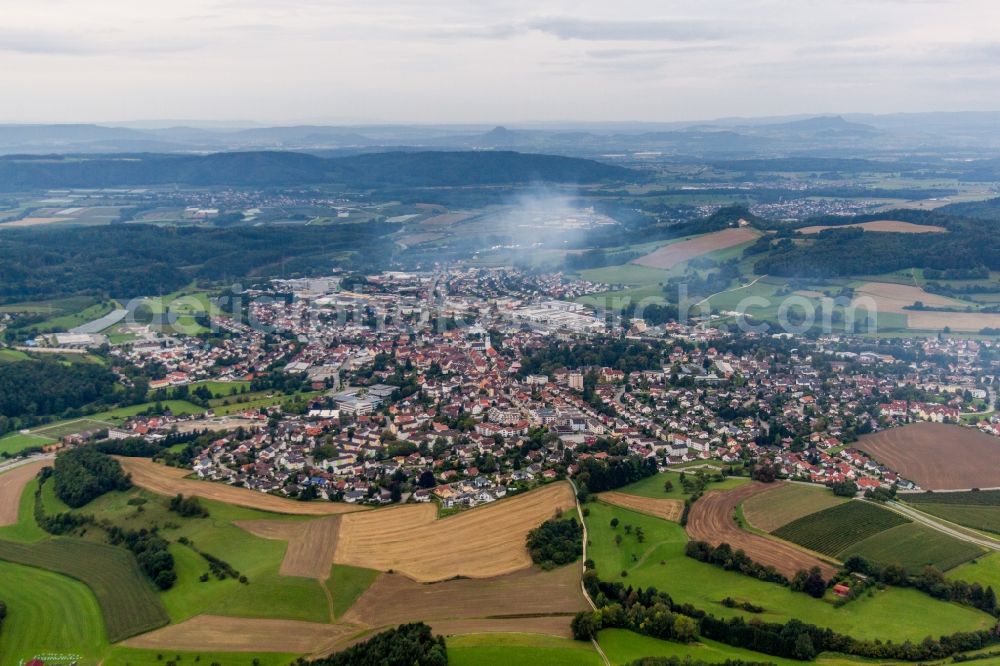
(395, 599)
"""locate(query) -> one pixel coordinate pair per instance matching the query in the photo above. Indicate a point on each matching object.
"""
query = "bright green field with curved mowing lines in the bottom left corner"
(48, 613)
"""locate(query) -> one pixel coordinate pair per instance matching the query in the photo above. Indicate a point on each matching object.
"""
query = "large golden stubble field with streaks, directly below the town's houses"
(480, 543)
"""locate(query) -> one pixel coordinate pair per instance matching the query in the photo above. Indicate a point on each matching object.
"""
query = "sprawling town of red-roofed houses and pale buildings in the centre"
(466, 385)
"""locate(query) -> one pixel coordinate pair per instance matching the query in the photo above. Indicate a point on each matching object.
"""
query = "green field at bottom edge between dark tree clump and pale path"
(524, 649)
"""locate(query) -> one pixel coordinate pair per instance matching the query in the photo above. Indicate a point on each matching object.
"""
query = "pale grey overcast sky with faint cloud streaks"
(492, 61)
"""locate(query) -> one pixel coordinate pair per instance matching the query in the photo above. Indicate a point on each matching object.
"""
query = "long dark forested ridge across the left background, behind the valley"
(265, 169)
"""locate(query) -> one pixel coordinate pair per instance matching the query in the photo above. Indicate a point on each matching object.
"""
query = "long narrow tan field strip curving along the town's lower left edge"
(169, 481)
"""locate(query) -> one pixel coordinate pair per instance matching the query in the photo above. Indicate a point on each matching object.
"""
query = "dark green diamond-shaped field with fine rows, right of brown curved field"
(835, 530)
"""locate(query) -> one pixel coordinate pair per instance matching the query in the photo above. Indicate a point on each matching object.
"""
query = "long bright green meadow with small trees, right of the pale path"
(897, 614)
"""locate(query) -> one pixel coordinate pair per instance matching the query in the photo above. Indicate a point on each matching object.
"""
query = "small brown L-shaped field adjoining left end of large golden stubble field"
(311, 544)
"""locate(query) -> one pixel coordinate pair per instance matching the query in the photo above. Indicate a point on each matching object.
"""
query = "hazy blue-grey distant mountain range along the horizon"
(730, 137)
